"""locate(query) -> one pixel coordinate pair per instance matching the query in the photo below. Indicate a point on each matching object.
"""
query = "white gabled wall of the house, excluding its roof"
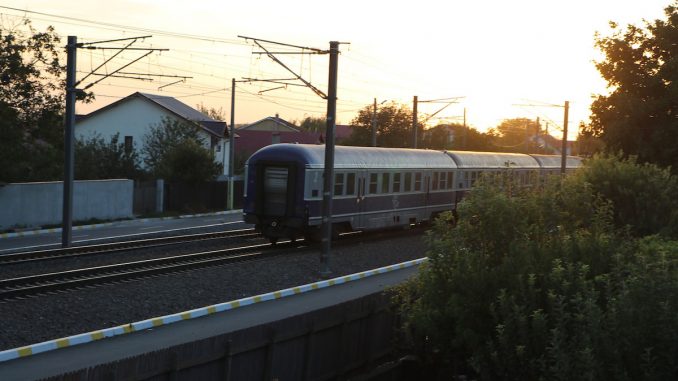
(135, 117)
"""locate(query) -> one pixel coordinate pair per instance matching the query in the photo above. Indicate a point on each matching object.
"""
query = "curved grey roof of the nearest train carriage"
(355, 157)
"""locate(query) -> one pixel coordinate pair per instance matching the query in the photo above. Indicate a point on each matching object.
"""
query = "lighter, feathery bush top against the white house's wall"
(164, 137)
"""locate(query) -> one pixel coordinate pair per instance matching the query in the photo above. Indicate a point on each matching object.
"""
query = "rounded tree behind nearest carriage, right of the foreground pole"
(394, 126)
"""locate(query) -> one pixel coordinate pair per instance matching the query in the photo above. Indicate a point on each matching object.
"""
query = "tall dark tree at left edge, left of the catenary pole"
(31, 98)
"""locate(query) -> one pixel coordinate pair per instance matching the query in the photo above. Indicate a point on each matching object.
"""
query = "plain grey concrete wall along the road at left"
(39, 204)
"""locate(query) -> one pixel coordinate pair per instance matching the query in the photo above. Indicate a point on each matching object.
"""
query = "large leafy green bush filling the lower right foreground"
(541, 284)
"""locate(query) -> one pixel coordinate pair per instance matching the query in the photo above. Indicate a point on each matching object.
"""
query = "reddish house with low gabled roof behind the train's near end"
(272, 130)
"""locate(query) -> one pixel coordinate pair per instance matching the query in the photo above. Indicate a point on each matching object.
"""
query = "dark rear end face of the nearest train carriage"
(274, 191)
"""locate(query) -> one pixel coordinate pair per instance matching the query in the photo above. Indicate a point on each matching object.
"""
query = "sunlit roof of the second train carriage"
(468, 159)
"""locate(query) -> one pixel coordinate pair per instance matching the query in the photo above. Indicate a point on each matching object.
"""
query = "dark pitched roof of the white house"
(174, 106)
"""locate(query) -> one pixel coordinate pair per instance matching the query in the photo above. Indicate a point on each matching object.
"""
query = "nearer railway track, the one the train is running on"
(72, 279)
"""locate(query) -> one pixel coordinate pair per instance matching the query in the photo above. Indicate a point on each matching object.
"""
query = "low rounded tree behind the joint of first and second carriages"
(457, 137)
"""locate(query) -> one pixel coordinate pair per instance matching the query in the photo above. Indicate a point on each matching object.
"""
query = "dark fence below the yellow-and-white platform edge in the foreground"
(334, 343)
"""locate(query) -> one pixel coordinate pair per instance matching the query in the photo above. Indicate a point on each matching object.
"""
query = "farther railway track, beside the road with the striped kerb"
(81, 251)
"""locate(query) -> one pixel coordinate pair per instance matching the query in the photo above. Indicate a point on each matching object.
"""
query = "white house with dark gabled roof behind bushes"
(133, 116)
